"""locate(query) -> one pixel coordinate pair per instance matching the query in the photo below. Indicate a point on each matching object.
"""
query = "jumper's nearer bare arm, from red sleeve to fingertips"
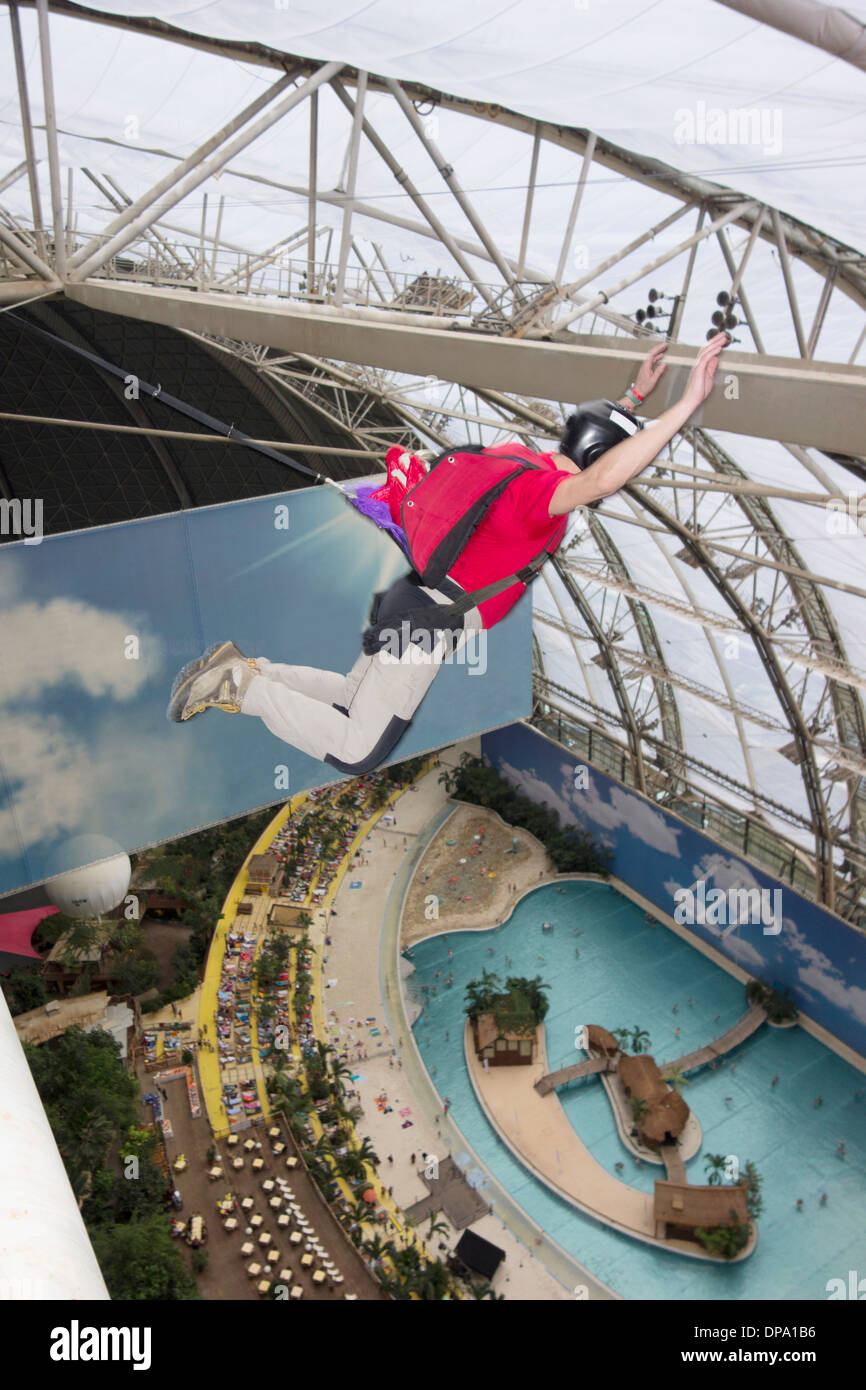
(626, 461)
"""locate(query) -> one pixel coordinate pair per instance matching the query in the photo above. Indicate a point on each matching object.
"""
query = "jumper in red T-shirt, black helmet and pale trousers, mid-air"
(477, 526)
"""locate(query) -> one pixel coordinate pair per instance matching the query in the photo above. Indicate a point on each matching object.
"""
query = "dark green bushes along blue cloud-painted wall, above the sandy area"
(569, 849)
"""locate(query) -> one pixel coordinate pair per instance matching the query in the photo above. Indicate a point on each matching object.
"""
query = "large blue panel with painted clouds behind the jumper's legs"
(85, 747)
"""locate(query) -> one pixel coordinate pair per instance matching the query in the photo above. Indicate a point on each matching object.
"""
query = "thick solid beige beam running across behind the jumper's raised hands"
(804, 402)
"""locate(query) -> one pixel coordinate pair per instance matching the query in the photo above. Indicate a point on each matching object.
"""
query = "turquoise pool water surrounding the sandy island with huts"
(607, 965)
